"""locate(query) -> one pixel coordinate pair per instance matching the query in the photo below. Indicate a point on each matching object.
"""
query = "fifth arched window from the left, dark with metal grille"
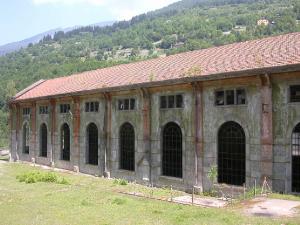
(127, 139)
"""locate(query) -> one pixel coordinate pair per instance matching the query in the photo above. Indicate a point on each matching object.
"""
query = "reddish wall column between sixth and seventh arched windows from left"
(198, 135)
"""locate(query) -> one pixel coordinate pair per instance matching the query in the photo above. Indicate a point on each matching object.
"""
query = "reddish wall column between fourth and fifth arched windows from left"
(107, 132)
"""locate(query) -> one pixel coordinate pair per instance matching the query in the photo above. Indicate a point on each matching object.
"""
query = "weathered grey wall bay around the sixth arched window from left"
(184, 118)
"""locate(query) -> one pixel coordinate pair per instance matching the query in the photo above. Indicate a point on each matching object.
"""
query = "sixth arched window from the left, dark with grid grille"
(172, 151)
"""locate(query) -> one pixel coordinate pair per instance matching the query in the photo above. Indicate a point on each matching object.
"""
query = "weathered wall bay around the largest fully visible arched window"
(247, 116)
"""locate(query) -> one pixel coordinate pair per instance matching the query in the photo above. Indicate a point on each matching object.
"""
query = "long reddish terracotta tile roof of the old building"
(269, 52)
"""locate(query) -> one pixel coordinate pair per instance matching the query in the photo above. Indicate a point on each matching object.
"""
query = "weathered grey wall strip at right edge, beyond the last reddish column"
(286, 116)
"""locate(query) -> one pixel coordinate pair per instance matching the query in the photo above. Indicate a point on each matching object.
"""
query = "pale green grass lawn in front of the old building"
(91, 200)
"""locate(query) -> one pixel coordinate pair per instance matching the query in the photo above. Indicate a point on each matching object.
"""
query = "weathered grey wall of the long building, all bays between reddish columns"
(285, 117)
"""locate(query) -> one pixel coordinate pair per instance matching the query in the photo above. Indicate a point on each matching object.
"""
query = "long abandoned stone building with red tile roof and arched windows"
(167, 121)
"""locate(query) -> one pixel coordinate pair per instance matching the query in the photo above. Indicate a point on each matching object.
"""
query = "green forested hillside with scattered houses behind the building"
(182, 26)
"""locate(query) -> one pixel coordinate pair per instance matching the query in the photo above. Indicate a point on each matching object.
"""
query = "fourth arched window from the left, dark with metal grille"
(92, 144)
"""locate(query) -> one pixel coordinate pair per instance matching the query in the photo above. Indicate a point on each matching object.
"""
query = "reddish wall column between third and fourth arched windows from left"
(76, 133)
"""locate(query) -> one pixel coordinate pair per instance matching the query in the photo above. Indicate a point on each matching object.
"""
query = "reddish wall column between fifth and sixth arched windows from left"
(146, 117)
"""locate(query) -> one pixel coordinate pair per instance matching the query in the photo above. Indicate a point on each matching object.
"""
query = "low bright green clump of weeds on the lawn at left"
(34, 177)
